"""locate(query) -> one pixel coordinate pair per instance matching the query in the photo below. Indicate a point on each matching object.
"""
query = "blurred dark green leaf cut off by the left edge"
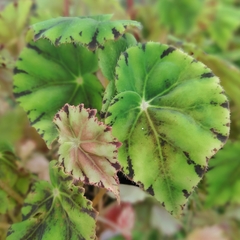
(11, 173)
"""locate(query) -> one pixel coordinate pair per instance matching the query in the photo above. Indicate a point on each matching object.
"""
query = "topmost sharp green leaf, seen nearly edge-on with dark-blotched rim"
(90, 31)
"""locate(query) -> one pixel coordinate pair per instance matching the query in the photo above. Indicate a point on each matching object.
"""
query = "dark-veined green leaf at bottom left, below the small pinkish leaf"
(57, 210)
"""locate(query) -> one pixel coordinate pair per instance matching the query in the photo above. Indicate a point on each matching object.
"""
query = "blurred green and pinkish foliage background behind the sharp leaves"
(209, 30)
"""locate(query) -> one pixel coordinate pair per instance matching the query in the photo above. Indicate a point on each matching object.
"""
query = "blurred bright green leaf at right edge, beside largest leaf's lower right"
(223, 183)
